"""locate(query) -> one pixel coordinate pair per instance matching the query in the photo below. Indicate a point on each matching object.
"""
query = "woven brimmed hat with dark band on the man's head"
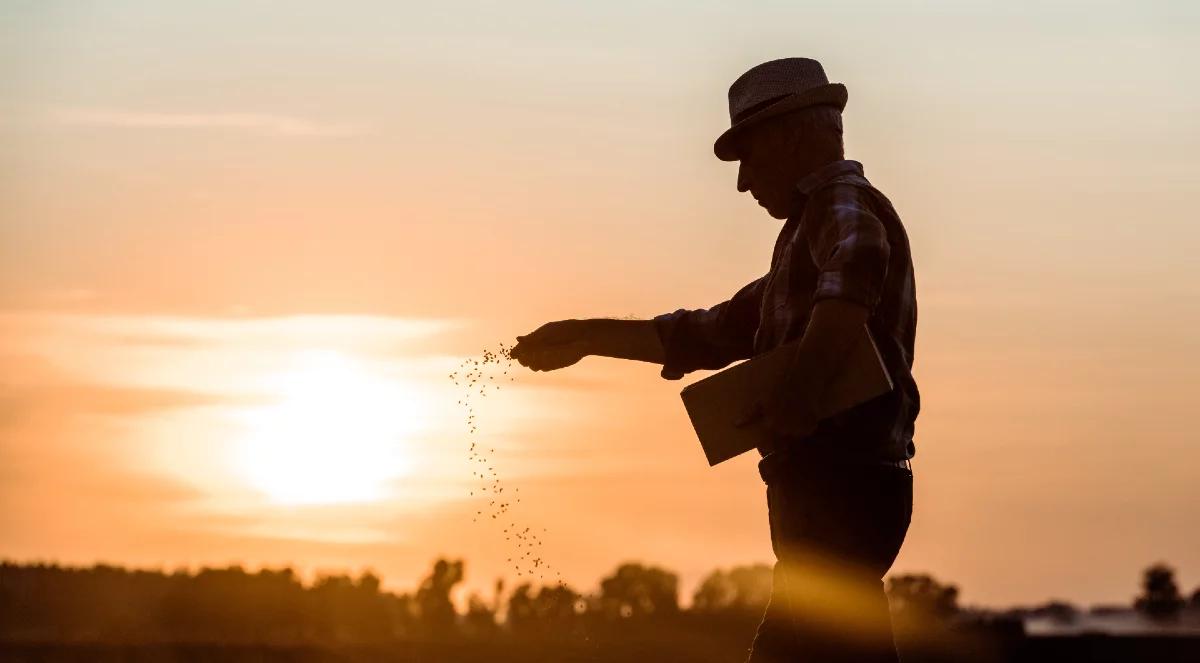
(775, 88)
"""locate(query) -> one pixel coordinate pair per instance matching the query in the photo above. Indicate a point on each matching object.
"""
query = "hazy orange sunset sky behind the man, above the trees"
(214, 219)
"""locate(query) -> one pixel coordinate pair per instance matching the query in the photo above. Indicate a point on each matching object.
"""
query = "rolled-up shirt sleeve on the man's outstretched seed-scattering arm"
(711, 338)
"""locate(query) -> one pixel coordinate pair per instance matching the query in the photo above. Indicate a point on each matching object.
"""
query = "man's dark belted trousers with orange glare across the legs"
(836, 529)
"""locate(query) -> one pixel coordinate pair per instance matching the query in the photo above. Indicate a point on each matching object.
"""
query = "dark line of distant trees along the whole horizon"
(41, 602)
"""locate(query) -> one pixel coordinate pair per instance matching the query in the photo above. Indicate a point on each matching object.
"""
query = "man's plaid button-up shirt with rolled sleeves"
(843, 241)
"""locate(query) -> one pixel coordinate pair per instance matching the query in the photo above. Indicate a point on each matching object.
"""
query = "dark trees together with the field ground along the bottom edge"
(635, 616)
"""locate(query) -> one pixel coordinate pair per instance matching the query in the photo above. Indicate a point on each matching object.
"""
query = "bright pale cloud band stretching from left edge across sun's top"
(229, 357)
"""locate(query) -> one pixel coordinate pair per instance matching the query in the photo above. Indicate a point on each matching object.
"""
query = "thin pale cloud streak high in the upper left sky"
(255, 123)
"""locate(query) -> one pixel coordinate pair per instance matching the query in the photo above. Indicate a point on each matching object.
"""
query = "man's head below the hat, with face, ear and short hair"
(776, 153)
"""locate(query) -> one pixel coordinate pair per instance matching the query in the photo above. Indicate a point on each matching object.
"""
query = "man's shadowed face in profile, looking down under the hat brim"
(763, 171)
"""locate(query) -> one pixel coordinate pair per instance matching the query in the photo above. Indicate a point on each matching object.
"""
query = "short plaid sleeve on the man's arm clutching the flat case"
(849, 247)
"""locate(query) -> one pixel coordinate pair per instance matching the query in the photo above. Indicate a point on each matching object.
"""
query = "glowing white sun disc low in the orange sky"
(339, 433)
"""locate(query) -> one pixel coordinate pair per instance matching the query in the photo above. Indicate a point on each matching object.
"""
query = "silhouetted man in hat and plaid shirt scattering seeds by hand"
(839, 492)
